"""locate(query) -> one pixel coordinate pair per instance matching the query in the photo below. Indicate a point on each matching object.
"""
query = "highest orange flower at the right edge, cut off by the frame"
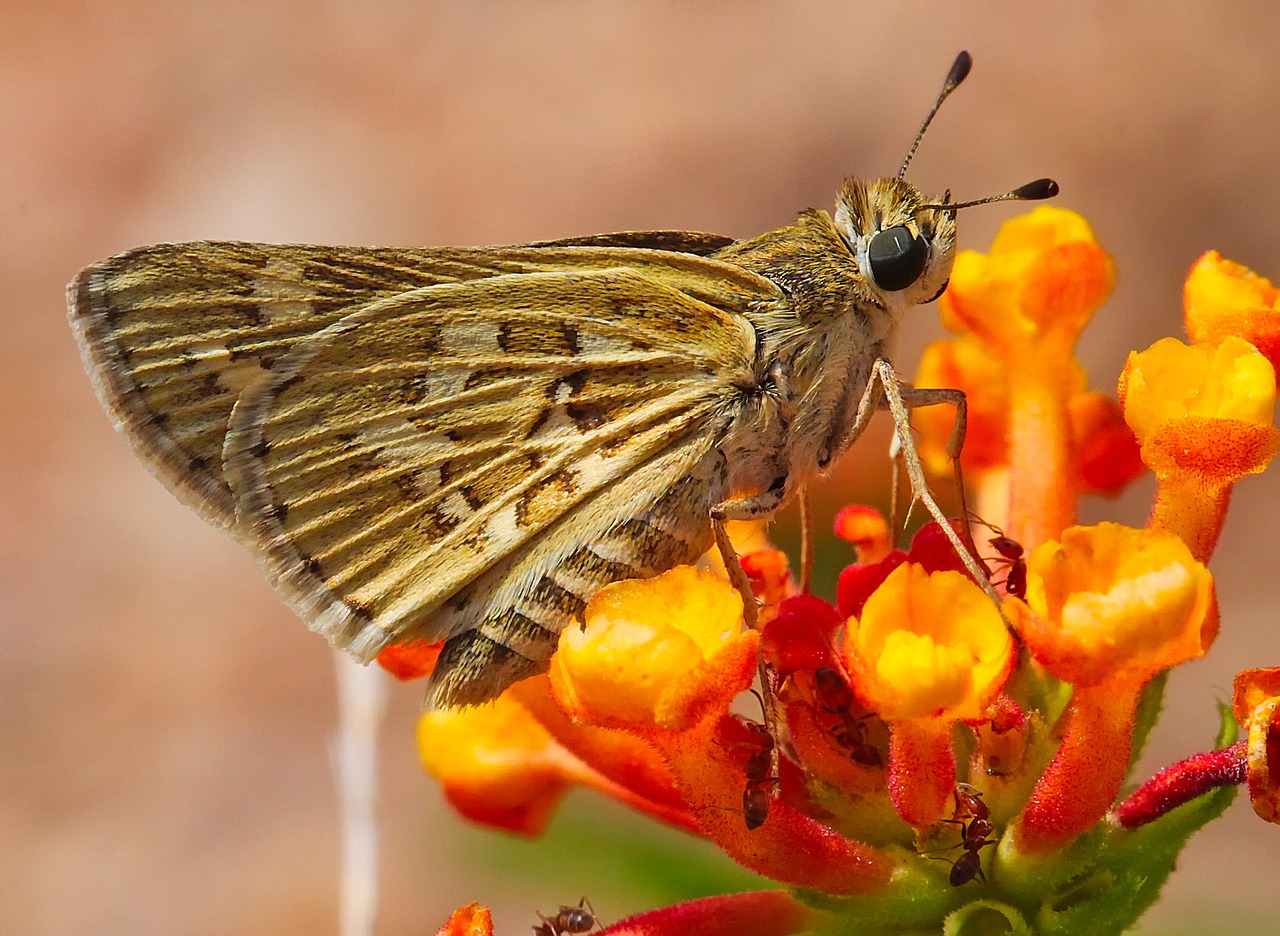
(1226, 299)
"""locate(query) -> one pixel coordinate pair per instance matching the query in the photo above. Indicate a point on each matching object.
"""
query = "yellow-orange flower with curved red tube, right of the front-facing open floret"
(1107, 609)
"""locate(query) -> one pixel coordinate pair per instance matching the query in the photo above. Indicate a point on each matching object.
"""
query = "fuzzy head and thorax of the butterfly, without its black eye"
(819, 343)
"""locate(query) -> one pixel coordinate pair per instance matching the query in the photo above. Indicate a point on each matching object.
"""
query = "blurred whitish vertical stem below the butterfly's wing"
(362, 704)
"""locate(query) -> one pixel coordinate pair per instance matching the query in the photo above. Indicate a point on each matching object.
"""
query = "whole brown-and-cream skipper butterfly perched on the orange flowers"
(465, 444)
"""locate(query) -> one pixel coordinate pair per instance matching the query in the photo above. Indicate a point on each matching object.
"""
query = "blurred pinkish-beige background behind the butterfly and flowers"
(166, 722)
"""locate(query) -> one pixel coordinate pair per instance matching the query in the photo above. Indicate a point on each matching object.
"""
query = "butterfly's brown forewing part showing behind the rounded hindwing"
(173, 334)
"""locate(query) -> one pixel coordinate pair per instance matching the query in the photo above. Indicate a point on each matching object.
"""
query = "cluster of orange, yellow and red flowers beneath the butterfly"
(913, 720)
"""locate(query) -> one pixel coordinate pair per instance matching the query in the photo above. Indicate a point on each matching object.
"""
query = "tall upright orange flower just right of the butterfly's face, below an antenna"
(1021, 311)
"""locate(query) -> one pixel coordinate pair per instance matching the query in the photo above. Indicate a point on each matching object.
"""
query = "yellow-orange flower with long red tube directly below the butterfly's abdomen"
(664, 659)
